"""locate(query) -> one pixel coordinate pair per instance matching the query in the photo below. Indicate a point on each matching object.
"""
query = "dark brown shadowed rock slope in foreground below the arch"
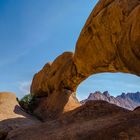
(95, 120)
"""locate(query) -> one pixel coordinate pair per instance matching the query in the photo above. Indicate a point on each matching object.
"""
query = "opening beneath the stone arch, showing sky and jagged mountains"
(121, 89)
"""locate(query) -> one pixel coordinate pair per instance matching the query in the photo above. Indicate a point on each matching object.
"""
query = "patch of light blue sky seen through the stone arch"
(115, 83)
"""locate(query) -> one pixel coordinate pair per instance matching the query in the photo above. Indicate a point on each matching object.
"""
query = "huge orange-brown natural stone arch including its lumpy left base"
(109, 42)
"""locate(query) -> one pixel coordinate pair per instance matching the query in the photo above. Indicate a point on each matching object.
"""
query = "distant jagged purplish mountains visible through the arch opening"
(129, 101)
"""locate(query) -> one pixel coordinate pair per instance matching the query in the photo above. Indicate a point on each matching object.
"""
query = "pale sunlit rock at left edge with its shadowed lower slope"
(11, 115)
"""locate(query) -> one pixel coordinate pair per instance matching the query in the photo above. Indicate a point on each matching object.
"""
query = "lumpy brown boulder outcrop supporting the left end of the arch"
(54, 88)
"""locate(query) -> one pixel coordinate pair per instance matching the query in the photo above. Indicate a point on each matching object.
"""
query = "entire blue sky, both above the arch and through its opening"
(34, 32)
